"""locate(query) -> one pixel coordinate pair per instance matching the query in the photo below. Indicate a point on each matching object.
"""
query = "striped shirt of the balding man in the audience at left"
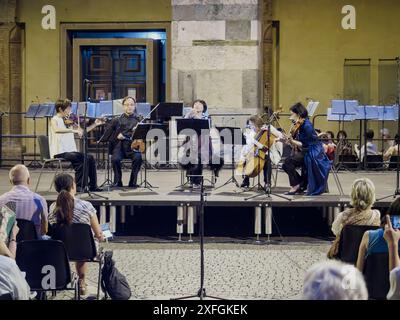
(28, 205)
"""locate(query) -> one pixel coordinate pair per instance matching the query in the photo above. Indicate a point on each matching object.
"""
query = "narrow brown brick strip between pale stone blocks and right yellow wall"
(267, 47)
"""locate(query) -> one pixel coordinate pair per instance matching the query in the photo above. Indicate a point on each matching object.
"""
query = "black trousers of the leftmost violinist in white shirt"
(77, 160)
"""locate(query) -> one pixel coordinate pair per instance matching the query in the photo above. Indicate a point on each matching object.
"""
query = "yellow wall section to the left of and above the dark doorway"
(42, 47)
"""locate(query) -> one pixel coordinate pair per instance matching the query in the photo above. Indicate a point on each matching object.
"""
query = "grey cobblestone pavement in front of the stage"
(232, 271)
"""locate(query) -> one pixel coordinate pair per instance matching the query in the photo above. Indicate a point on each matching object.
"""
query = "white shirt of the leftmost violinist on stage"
(60, 142)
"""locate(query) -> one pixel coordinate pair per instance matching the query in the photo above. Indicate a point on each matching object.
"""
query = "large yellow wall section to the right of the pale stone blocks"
(313, 47)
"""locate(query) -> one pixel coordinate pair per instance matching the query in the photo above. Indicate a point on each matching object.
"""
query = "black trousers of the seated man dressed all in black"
(123, 151)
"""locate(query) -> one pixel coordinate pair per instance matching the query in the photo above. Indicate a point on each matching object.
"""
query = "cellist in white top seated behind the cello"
(255, 126)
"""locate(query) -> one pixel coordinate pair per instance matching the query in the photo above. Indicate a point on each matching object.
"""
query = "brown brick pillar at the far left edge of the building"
(10, 76)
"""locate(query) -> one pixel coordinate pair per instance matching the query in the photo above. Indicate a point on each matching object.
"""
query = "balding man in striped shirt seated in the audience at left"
(28, 205)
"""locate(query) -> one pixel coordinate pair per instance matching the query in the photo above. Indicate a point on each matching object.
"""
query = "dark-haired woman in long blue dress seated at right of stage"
(311, 157)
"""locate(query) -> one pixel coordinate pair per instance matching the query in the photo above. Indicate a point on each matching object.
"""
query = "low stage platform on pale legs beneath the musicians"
(166, 196)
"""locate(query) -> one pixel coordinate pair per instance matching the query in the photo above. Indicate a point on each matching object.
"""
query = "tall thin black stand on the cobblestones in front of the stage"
(201, 293)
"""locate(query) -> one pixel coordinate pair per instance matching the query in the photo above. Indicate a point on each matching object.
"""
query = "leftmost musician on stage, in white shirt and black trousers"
(62, 145)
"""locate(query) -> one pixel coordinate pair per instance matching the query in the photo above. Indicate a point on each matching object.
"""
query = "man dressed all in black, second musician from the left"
(120, 146)
